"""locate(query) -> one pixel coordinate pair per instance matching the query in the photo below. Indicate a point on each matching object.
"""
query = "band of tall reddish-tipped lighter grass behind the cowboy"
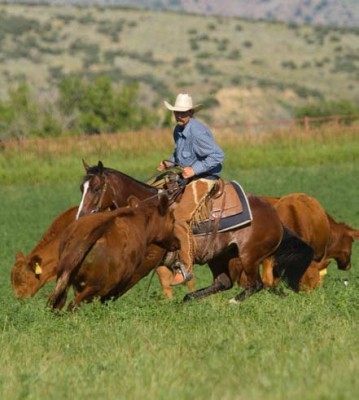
(138, 153)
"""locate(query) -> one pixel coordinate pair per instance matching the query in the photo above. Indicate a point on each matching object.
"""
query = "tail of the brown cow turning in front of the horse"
(73, 252)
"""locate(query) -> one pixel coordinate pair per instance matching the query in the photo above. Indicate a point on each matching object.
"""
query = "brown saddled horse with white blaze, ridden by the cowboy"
(266, 236)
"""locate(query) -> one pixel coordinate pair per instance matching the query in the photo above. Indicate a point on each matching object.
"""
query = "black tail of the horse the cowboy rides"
(292, 258)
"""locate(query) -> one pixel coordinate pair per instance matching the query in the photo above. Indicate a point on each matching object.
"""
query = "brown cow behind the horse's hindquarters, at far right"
(329, 239)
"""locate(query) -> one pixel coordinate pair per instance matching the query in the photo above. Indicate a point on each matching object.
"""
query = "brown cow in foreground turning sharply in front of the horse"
(103, 255)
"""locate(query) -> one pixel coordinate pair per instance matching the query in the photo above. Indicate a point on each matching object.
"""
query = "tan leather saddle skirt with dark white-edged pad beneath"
(229, 211)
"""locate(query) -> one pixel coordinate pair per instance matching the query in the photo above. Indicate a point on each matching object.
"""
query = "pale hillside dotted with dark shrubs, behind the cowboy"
(244, 70)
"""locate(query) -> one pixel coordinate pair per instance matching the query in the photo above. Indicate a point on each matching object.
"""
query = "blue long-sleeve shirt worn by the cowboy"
(195, 147)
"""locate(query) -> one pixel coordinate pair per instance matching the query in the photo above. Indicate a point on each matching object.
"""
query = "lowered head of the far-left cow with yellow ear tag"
(26, 275)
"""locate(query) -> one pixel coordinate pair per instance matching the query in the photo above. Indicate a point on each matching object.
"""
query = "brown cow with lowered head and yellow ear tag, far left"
(29, 274)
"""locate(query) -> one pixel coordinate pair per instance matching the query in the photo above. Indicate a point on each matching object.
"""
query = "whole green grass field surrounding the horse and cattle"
(303, 346)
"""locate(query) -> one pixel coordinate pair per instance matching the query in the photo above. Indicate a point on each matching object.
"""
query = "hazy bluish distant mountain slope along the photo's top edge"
(342, 13)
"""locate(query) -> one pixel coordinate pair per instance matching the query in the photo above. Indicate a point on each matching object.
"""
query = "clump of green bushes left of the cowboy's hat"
(79, 106)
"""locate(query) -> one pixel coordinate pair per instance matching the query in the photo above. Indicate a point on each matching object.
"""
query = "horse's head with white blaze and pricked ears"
(97, 193)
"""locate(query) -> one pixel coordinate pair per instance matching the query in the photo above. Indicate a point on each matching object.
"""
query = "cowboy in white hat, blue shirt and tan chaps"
(200, 158)
